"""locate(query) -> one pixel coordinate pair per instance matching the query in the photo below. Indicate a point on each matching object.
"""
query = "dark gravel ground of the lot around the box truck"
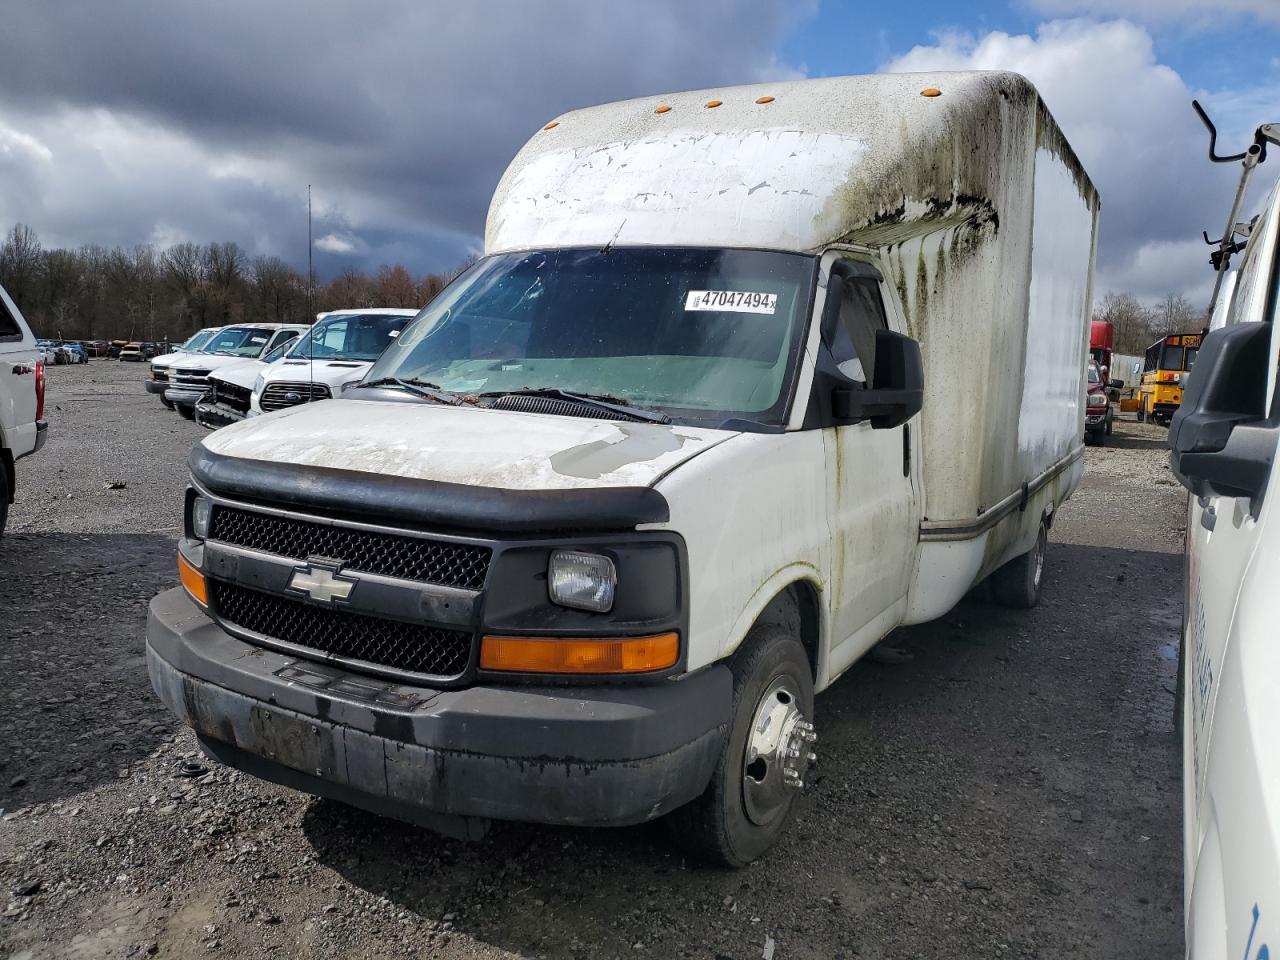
(1013, 792)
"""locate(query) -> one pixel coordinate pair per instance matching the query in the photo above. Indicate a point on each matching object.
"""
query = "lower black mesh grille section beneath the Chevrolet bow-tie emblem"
(354, 637)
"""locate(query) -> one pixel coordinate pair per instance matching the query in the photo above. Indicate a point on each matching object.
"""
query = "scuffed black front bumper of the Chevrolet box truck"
(600, 756)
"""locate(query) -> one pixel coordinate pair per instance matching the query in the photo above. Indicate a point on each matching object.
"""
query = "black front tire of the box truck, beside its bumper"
(734, 821)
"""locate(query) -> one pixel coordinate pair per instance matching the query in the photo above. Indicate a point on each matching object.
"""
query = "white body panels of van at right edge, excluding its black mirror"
(1231, 668)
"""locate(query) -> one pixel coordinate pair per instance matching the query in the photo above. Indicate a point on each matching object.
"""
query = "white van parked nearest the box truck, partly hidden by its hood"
(340, 350)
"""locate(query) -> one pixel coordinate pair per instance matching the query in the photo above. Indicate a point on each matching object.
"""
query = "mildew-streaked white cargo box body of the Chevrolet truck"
(981, 216)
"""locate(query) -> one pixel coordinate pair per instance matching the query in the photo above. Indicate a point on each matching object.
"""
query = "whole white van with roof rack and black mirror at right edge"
(1224, 433)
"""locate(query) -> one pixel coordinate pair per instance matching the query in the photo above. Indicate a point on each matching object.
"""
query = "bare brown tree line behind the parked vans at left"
(153, 294)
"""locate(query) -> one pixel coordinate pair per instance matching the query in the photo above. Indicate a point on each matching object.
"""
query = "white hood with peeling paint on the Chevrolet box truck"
(467, 445)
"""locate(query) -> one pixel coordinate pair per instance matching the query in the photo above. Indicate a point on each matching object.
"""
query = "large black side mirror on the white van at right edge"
(1222, 444)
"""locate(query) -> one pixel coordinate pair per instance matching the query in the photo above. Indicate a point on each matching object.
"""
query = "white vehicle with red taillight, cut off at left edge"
(24, 429)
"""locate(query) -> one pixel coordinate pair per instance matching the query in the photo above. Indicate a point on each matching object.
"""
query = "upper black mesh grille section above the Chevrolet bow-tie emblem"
(391, 555)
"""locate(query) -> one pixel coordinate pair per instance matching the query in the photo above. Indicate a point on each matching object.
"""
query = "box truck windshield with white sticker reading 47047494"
(702, 335)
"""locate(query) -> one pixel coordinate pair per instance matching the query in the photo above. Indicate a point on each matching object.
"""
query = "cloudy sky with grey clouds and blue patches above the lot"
(158, 121)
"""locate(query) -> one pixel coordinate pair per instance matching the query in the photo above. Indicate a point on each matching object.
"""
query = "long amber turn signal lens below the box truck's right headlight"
(527, 655)
